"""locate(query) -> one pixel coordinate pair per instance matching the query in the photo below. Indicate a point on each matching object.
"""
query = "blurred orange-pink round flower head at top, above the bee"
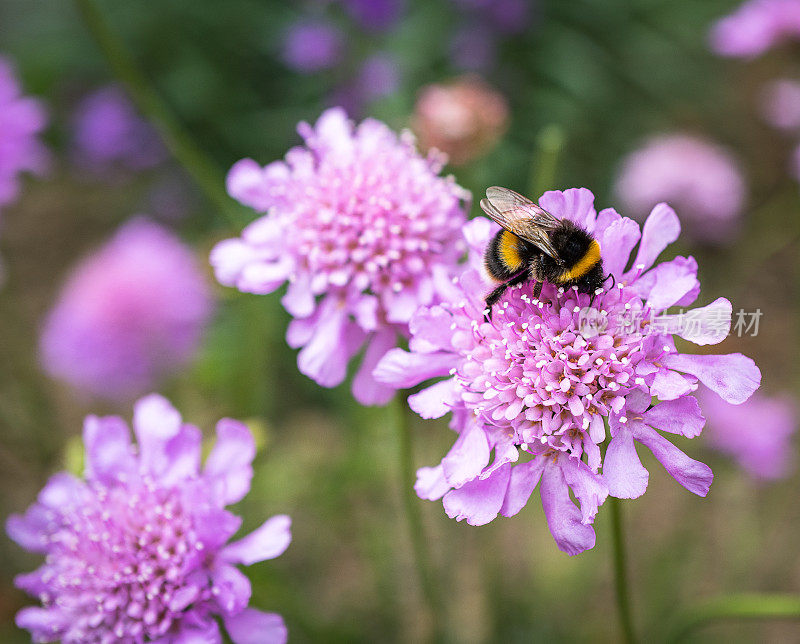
(463, 119)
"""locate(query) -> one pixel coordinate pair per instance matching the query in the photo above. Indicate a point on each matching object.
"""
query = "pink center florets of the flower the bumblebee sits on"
(546, 370)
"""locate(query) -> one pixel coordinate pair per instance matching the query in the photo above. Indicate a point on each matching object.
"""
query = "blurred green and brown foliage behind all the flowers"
(606, 74)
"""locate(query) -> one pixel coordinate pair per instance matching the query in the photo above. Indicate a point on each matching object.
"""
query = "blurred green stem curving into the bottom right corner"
(740, 606)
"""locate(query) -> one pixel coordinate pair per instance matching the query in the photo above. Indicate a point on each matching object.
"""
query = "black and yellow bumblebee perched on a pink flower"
(534, 245)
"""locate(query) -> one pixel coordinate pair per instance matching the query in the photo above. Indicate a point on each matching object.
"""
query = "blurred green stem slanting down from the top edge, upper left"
(197, 164)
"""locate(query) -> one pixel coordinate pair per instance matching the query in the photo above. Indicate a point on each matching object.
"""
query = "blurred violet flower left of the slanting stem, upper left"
(109, 134)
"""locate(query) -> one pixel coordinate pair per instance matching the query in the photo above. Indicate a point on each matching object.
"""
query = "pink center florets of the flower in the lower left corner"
(119, 564)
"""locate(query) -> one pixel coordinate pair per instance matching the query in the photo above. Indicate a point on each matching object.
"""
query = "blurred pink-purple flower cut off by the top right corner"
(755, 27)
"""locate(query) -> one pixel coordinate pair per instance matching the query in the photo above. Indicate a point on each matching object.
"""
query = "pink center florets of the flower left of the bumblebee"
(375, 226)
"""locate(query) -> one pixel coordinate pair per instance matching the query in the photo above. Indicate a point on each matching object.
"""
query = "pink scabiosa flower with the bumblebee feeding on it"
(536, 385)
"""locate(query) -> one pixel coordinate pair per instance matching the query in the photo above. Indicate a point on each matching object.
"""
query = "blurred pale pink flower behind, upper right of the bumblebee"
(701, 179)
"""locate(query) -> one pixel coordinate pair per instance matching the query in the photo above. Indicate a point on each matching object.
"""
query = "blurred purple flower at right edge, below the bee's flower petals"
(757, 434)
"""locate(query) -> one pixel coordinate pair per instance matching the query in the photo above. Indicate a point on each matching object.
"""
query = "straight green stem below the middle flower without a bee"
(411, 503)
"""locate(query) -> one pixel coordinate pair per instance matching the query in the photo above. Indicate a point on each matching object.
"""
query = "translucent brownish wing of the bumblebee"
(520, 216)
